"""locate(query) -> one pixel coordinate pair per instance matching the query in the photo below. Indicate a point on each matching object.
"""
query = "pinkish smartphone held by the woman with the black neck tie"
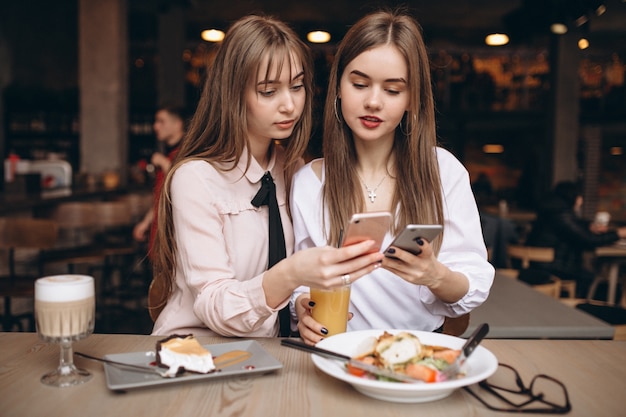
(363, 226)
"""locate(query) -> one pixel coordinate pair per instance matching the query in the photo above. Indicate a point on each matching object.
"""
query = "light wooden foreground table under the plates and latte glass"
(592, 370)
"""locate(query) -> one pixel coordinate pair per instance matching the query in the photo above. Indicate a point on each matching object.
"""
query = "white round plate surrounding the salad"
(479, 366)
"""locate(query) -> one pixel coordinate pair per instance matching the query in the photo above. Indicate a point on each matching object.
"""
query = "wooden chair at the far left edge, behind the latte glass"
(23, 235)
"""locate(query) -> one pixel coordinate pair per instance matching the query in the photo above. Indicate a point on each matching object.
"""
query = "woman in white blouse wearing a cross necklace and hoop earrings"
(381, 154)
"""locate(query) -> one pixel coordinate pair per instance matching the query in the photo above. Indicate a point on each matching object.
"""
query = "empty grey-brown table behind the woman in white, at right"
(516, 311)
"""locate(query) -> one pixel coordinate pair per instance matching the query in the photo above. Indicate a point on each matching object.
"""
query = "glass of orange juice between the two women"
(331, 308)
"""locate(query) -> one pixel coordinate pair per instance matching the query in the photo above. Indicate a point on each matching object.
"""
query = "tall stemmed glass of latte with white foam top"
(65, 310)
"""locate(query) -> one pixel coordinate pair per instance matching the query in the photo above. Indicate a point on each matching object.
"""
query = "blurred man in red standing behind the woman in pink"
(169, 128)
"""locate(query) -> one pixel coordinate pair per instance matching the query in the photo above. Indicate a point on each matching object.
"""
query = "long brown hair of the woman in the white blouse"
(418, 192)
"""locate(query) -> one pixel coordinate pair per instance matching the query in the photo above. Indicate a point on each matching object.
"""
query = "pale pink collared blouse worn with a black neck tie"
(222, 250)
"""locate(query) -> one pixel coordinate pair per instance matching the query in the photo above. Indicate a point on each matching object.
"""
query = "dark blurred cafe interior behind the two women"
(80, 81)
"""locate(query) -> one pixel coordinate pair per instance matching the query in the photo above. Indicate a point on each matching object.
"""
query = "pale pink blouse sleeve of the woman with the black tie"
(226, 303)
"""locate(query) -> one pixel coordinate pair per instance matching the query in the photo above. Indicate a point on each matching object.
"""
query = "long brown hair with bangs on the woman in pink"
(217, 132)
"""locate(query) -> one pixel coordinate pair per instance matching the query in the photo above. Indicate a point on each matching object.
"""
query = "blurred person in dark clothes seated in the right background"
(559, 226)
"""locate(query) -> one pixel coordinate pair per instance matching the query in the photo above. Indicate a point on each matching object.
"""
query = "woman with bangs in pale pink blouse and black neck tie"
(213, 256)
